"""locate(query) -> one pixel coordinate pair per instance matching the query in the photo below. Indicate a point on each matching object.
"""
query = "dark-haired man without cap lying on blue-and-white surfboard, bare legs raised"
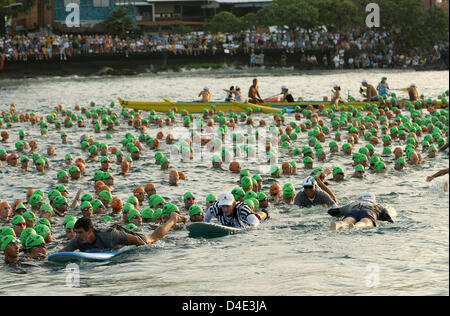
(89, 238)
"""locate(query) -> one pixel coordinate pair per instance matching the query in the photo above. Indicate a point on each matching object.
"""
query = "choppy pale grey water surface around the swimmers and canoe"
(293, 254)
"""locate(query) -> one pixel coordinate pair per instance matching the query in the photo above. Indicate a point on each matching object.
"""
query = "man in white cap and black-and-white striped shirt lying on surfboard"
(234, 214)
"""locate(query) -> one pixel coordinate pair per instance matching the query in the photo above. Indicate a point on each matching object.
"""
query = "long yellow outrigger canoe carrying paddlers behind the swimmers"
(267, 107)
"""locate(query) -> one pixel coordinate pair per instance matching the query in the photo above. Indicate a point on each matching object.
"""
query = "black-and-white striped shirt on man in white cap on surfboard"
(242, 216)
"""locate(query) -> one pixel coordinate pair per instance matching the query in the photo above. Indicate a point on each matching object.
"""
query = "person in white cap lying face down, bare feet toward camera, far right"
(362, 213)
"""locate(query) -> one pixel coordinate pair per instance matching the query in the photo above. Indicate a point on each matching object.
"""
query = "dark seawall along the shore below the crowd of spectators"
(138, 63)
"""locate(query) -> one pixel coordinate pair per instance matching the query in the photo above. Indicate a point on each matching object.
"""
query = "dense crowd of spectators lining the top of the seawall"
(350, 50)
